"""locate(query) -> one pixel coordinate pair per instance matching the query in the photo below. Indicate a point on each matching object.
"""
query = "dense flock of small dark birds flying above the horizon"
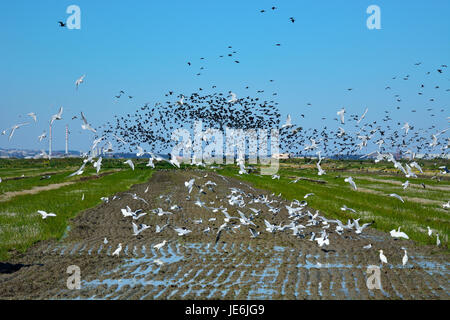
(153, 125)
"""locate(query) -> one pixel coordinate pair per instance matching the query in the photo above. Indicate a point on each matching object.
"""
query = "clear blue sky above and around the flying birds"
(143, 47)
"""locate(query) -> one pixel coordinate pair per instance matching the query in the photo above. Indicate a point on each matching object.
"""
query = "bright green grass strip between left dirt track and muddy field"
(21, 226)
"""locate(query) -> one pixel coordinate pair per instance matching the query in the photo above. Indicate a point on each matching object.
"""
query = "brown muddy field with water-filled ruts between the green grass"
(271, 266)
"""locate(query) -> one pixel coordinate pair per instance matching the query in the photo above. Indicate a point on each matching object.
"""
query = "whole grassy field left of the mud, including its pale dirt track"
(21, 225)
